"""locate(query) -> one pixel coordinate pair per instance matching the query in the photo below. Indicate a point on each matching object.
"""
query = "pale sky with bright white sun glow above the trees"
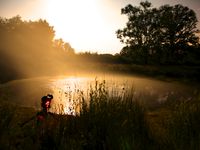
(88, 25)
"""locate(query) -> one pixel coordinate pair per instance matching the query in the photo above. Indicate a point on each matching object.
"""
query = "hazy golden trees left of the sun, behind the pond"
(29, 48)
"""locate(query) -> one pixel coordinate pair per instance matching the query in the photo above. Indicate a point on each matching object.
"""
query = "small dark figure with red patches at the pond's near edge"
(46, 105)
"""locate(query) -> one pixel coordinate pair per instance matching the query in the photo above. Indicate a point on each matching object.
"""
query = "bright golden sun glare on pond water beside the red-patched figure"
(68, 94)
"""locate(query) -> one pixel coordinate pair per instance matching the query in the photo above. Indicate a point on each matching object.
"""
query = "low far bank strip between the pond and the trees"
(183, 74)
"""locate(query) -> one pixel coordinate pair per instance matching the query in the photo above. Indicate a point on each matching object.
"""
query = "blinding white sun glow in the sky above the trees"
(76, 21)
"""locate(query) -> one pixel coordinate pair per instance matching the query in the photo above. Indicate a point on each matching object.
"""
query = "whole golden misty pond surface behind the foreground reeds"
(68, 91)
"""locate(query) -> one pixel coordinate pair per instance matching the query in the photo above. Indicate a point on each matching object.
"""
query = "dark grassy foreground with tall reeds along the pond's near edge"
(105, 121)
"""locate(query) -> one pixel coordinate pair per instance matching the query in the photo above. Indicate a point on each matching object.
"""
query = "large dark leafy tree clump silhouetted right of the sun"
(160, 35)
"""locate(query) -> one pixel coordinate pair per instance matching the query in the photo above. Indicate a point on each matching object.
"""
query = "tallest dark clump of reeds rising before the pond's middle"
(113, 122)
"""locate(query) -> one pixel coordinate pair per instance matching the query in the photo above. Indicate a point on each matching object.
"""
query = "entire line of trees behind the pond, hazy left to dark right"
(160, 36)
